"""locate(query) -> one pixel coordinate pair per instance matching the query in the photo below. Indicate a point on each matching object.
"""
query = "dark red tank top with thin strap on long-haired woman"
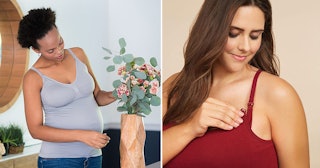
(238, 148)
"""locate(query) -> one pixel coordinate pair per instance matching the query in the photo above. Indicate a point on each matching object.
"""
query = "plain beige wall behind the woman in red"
(297, 39)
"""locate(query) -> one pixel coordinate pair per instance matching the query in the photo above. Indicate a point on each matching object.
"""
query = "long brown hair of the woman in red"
(205, 45)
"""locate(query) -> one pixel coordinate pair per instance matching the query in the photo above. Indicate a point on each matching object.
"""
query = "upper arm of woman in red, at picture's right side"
(289, 127)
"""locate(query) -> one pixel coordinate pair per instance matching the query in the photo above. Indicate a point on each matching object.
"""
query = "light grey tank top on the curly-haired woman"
(70, 106)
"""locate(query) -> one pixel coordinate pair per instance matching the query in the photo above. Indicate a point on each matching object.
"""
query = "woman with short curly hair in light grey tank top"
(61, 96)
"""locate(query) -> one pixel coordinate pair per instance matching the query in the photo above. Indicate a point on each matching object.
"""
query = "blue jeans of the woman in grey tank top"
(92, 162)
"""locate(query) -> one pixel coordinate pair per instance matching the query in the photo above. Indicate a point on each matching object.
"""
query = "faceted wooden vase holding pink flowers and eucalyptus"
(136, 90)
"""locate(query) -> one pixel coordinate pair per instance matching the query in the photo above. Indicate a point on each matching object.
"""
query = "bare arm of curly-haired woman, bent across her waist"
(32, 85)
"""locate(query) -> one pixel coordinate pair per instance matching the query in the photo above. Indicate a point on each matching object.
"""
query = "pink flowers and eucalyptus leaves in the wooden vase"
(139, 82)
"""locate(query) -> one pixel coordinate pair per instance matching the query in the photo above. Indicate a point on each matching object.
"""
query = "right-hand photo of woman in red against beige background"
(240, 83)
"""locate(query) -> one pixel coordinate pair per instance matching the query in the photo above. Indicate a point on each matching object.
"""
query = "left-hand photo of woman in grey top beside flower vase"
(88, 89)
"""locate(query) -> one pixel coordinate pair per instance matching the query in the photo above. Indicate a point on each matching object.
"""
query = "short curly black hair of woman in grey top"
(35, 25)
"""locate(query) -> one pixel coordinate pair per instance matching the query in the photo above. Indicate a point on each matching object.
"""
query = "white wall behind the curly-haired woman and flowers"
(96, 24)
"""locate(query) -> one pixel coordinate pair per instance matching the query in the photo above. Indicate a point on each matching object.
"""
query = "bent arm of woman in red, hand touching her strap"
(212, 113)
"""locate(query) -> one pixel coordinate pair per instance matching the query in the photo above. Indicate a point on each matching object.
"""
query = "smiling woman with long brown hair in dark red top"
(228, 107)
